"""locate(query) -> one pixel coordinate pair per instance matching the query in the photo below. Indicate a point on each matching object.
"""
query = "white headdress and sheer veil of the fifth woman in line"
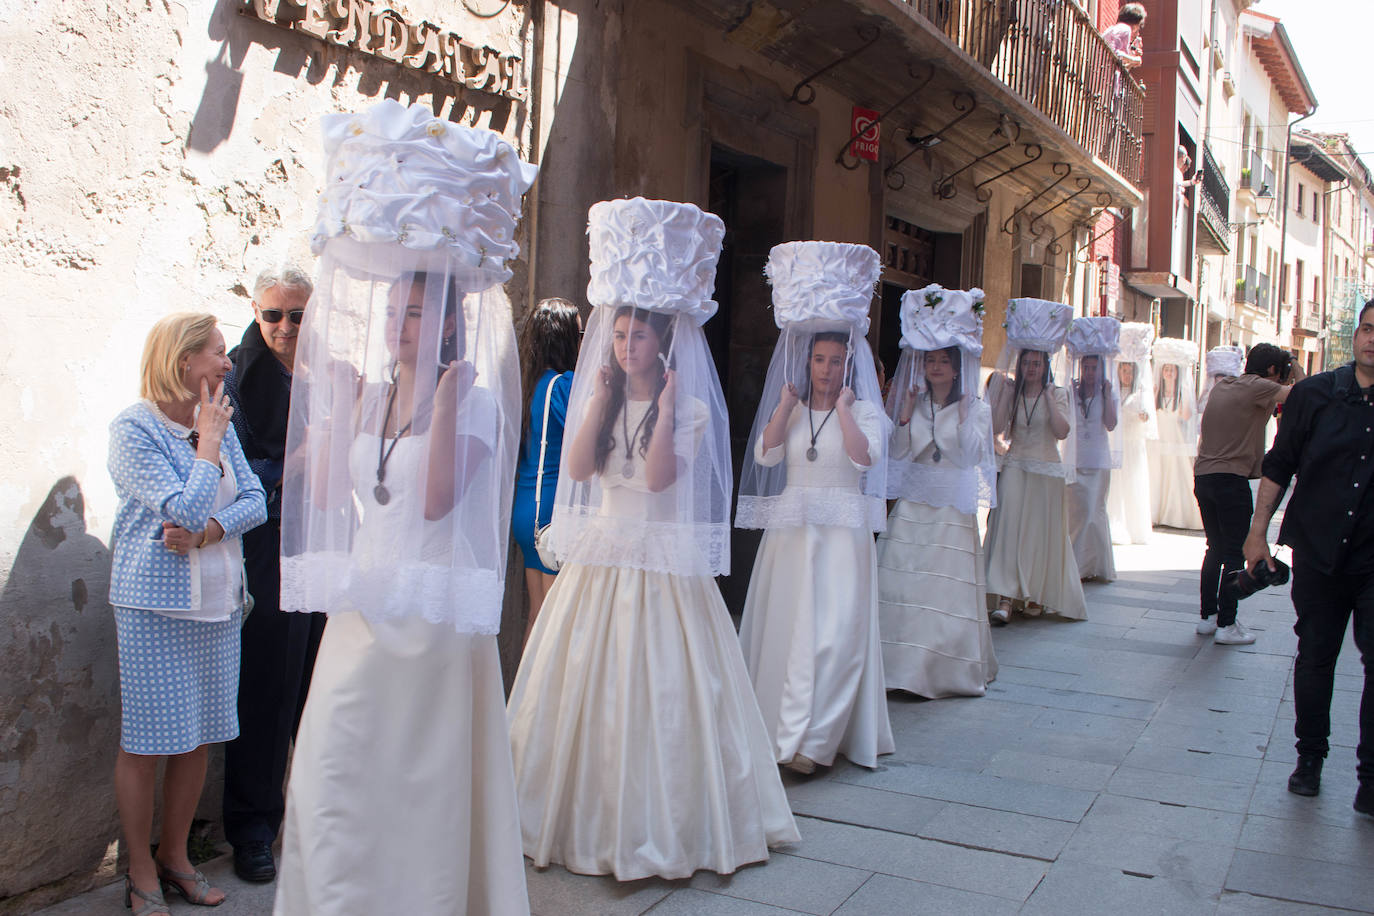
(1038, 326)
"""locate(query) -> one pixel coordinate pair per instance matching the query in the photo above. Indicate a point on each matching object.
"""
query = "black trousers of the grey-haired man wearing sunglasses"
(274, 678)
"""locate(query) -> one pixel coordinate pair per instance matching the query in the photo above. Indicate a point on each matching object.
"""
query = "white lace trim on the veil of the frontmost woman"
(469, 599)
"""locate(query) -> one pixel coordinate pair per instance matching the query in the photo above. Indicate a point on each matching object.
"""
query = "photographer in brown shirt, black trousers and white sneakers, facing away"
(1230, 453)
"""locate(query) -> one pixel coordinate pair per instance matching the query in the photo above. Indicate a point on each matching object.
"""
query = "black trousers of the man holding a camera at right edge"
(1324, 605)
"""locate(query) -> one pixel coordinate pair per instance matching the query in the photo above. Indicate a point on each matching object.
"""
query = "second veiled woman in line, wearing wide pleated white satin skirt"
(638, 744)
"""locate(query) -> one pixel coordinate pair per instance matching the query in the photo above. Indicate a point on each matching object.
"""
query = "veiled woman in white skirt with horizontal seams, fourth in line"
(932, 588)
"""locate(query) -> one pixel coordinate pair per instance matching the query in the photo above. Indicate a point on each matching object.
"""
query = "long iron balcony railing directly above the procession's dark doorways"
(1050, 54)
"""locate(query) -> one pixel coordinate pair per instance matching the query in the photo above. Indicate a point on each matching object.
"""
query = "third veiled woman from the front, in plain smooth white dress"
(813, 480)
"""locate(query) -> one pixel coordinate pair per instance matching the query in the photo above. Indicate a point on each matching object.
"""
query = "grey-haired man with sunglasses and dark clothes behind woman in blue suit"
(278, 650)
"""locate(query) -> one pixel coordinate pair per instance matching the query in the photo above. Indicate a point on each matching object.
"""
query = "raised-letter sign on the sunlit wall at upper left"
(372, 28)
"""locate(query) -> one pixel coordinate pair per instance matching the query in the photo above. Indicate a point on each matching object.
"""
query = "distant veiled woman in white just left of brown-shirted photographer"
(1173, 454)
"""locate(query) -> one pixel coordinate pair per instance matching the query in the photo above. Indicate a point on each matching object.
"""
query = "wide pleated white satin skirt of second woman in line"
(638, 744)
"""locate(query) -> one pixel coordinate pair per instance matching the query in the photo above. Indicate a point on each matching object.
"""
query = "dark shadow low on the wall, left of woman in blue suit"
(60, 707)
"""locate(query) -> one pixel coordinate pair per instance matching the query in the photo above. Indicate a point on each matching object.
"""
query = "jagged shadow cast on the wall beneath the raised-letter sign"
(318, 62)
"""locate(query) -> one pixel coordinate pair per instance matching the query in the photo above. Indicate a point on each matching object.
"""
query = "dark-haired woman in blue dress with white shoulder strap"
(549, 341)
